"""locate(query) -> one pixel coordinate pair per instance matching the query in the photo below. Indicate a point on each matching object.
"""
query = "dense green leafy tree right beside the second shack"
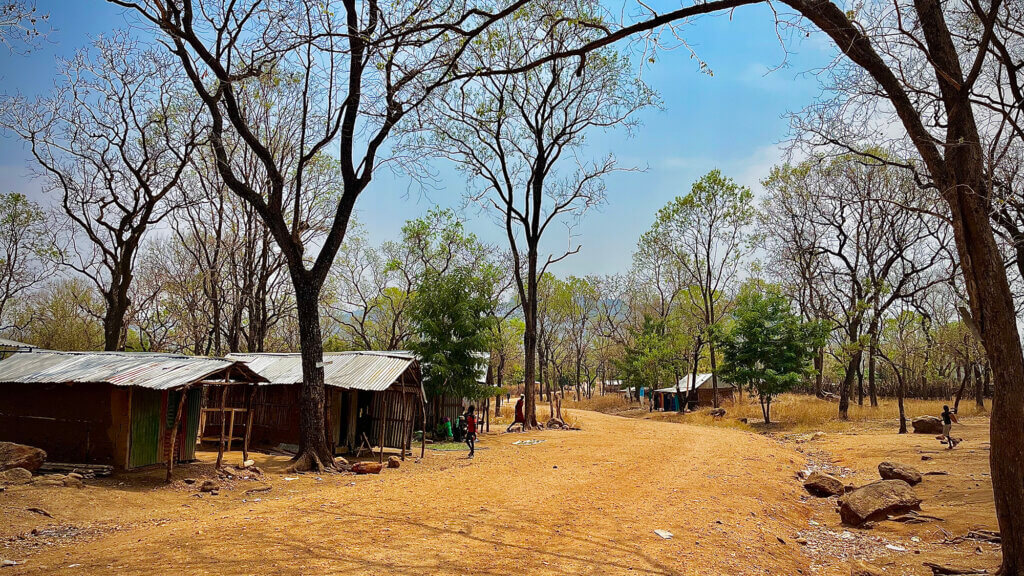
(450, 312)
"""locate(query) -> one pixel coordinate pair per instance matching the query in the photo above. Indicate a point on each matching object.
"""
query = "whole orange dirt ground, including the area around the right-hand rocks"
(578, 503)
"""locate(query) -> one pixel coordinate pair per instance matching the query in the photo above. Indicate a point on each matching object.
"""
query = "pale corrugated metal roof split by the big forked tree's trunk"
(354, 371)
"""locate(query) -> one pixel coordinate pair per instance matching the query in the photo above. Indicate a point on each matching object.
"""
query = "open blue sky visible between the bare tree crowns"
(734, 121)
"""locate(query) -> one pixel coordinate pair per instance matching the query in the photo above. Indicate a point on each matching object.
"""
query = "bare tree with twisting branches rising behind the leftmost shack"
(113, 142)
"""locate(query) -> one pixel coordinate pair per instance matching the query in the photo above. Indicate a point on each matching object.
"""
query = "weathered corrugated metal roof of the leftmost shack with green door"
(155, 372)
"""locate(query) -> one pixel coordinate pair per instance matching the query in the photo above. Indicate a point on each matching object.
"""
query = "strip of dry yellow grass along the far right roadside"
(790, 413)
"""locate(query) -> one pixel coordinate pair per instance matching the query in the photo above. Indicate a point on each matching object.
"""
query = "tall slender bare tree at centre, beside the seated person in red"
(509, 134)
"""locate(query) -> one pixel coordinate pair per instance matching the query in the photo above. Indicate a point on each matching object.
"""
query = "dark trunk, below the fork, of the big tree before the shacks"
(314, 452)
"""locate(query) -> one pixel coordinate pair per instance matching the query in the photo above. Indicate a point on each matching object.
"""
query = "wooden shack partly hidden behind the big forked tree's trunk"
(374, 400)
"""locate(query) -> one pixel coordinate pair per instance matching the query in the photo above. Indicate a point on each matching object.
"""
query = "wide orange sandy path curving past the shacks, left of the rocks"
(580, 503)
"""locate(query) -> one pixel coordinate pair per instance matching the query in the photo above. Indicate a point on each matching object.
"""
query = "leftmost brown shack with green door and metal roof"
(130, 410)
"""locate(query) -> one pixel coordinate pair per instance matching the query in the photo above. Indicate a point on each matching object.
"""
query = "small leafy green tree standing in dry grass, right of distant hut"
(765, 347)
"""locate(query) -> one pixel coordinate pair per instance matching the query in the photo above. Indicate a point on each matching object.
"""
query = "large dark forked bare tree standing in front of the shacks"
(359, 69)
